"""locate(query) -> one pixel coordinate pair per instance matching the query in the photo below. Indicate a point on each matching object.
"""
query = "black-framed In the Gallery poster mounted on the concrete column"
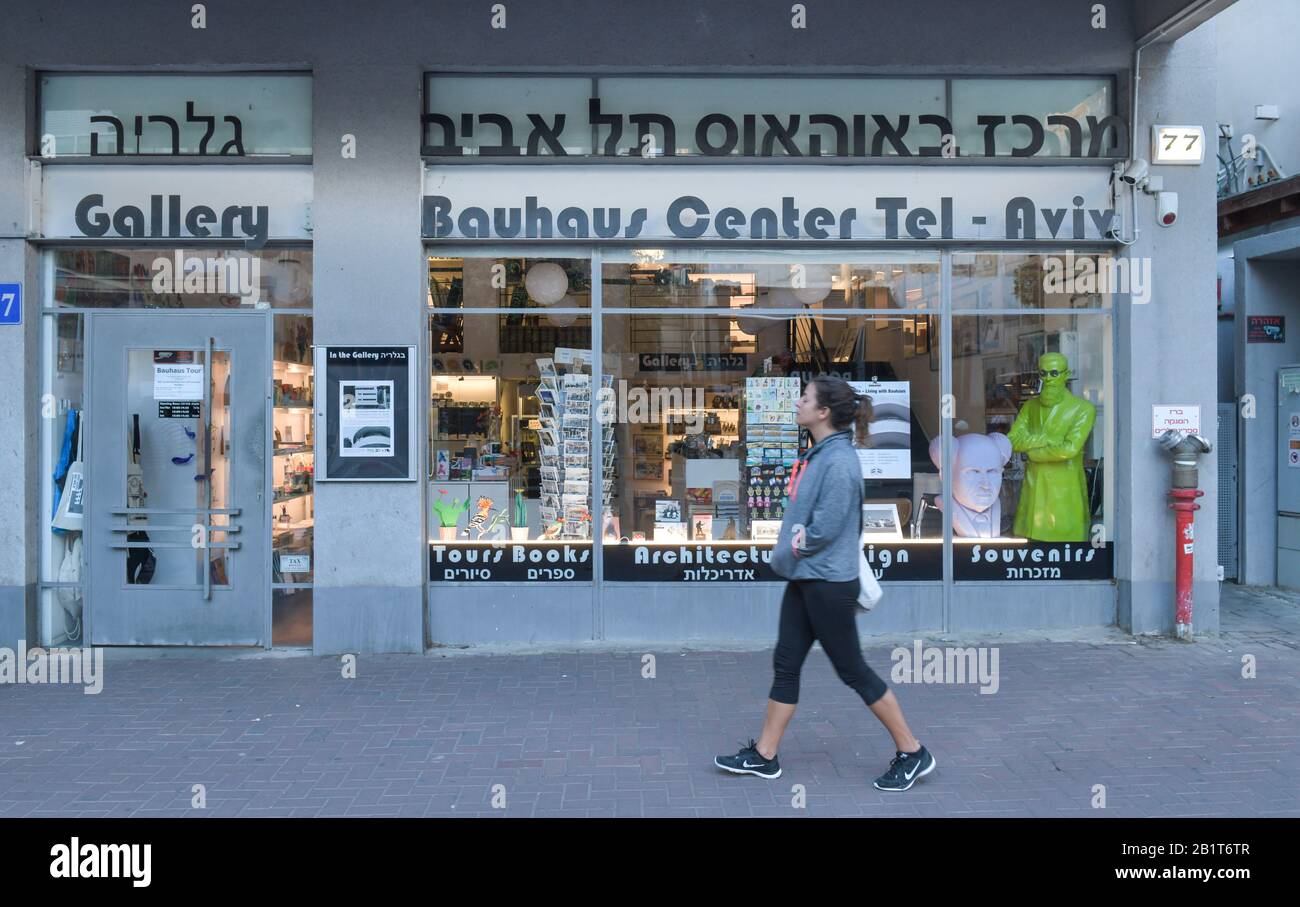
(365, 414)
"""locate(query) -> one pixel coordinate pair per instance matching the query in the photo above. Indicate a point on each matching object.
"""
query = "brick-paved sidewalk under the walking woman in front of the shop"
(1171, 730)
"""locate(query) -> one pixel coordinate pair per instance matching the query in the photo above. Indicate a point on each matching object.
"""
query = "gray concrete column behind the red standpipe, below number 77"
(1168, 339)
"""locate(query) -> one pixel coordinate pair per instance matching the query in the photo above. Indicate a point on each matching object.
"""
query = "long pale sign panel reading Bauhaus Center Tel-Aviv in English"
(753, 202)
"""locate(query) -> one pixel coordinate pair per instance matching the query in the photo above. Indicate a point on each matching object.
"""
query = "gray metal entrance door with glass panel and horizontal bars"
(176, 480)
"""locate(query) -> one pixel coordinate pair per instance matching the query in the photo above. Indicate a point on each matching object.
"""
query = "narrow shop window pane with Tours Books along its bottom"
(510, 418)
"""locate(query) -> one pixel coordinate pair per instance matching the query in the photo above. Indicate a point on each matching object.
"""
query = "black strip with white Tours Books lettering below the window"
(510, 562)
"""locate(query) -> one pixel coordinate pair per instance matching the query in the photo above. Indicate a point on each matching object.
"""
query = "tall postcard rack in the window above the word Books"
(565, 432)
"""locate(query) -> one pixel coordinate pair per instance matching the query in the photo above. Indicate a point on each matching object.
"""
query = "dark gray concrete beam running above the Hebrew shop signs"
(903, 36)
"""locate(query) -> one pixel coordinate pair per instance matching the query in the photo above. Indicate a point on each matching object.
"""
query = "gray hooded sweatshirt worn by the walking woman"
(827, 501)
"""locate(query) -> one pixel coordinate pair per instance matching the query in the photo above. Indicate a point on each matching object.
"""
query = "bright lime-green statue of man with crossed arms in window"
(1051, 429)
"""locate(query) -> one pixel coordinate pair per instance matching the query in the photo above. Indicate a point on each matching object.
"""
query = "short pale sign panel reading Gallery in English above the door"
(249, 203)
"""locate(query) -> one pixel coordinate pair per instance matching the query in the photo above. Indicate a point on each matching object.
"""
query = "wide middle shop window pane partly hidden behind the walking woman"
(701, 416)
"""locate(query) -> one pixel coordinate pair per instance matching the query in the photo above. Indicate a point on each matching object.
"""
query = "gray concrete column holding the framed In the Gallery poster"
(370, 288)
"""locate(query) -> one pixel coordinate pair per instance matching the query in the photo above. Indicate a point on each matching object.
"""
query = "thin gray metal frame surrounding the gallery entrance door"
(261, 523)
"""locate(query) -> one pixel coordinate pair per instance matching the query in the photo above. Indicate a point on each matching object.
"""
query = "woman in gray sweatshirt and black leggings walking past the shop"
(818, 553)
